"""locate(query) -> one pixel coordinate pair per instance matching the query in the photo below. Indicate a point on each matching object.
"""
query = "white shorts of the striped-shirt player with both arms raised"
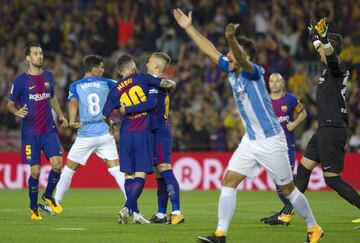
(270, 153)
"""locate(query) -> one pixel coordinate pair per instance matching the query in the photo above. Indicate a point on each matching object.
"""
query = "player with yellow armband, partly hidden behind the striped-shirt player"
(285, 106)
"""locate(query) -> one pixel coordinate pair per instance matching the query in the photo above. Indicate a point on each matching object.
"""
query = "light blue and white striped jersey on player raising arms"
(253, 101)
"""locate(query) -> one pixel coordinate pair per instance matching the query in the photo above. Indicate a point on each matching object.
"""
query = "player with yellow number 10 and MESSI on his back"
(135, 132)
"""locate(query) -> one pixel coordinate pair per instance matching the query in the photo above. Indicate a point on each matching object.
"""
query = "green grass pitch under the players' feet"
(90, 215)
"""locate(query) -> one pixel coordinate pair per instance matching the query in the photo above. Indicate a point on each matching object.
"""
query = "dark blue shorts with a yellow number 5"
(32, 145)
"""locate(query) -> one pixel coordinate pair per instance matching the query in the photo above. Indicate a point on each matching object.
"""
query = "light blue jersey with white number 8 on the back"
(91, 93)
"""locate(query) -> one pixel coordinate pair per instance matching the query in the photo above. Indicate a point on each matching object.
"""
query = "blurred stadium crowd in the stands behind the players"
(69, 30)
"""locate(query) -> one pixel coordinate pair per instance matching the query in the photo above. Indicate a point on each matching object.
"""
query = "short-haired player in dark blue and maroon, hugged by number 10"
(168, 186)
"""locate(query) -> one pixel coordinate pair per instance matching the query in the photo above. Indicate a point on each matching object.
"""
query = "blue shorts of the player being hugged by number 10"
(162, 145)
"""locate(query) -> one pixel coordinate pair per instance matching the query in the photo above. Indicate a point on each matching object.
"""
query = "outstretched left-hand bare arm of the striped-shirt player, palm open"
(185, 22)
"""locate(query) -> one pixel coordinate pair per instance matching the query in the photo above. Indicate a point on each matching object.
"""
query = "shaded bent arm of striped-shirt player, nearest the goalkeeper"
(239, 54)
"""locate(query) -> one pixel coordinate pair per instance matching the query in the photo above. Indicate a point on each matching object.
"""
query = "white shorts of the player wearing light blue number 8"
(104, 147)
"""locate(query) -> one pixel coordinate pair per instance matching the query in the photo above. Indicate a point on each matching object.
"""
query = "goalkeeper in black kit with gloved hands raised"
(327, 145)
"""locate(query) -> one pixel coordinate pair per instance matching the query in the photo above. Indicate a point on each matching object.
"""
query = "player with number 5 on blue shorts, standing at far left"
(33, 91)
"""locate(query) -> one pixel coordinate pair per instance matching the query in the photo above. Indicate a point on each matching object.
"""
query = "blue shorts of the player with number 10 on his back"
(136, 152)
